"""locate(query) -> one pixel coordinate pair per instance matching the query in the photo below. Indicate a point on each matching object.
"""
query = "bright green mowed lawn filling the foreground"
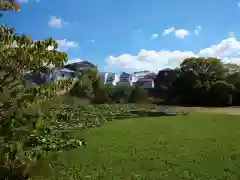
(199, 146)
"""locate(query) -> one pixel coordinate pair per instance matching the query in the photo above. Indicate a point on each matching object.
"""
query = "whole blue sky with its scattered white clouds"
(133, 35)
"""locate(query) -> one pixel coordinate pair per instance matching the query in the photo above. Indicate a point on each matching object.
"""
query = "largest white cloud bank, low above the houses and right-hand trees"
(228, 50)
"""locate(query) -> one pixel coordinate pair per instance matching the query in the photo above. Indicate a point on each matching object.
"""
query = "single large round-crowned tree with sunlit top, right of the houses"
(196, 78)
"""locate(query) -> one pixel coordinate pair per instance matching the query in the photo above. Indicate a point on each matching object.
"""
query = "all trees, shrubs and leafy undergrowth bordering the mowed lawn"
(33, 125)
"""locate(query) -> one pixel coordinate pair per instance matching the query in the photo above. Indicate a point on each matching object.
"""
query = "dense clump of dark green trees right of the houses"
(203, 82)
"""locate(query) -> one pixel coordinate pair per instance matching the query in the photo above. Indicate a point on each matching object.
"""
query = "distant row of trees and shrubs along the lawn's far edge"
(197, 82)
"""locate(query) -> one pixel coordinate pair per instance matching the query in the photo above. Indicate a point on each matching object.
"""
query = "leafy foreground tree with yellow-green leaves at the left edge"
(29, 134)
